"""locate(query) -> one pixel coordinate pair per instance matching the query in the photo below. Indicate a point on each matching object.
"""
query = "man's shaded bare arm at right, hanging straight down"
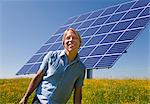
(77, 95)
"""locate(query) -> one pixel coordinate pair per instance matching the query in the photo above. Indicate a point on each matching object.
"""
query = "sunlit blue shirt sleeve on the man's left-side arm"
(44, 65)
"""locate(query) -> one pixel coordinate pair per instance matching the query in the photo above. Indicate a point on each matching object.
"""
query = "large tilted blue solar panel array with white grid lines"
(106, 34)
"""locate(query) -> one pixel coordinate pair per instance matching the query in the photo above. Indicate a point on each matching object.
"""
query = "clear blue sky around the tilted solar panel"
(26, 25)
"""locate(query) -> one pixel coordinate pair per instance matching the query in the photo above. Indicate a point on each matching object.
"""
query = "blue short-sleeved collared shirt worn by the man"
(60, 78)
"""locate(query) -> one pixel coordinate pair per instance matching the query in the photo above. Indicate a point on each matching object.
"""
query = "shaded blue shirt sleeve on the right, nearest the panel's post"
(80, 80)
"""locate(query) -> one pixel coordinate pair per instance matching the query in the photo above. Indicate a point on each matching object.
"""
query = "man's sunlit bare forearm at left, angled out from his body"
(32, 86)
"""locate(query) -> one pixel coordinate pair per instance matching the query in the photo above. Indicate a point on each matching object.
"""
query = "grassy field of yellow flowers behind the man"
(102, 91)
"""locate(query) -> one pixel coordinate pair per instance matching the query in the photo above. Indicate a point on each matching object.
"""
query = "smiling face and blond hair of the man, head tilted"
(71, 42)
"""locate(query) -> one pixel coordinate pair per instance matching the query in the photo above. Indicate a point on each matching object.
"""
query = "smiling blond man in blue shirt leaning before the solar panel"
(60, 73)
